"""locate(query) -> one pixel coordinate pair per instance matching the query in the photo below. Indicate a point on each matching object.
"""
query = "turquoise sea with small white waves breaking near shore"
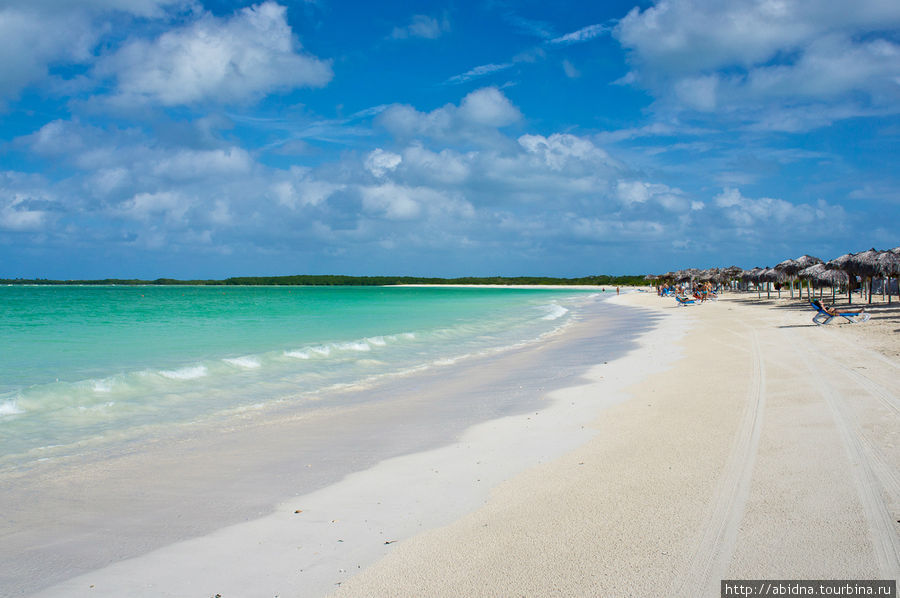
(84, 366)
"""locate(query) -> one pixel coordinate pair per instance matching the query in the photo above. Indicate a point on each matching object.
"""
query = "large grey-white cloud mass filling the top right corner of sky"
(757, 60)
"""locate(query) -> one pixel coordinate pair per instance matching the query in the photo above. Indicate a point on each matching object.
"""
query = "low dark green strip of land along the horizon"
(338, 280)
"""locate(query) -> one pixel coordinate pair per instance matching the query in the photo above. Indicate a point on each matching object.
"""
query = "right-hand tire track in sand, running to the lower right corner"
(871, 472)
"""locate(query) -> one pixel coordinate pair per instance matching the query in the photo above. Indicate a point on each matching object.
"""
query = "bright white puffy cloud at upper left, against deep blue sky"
(220, 60)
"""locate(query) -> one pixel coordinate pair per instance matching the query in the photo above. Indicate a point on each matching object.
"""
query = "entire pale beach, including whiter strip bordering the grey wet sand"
(737, 441)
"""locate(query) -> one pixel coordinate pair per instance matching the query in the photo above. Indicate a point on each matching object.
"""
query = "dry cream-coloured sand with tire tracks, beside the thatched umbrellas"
(770, 450)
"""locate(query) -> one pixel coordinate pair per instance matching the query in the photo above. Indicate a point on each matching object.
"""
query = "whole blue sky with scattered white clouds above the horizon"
(216, 138)
